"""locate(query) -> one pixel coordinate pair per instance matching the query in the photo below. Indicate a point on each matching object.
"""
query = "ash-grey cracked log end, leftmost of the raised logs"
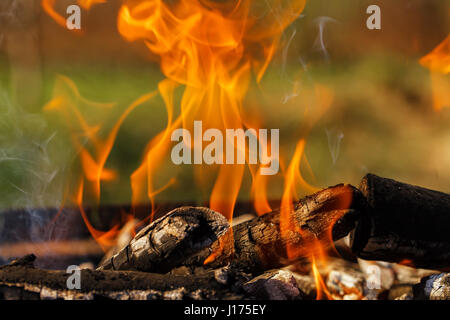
(169, 240)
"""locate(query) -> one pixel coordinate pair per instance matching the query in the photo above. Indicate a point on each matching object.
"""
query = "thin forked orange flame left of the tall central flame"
(91, 145)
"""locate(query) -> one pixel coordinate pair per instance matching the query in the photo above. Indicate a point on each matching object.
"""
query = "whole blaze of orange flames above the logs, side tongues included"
(210, 50)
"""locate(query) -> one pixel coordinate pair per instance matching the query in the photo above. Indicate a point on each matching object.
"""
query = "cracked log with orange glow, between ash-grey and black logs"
(259, 245)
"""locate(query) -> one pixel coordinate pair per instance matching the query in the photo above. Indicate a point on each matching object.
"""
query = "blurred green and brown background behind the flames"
(381, 119)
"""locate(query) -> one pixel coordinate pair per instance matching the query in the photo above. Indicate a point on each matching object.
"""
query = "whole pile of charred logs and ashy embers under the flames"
(384, 220)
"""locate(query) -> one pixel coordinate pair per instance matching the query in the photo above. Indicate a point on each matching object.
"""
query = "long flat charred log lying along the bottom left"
(21, 280)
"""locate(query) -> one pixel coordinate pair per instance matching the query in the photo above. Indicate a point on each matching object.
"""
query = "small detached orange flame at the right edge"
(438, 62)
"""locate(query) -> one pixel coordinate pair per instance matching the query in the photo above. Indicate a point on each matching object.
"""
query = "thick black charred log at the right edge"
(405, 222)
